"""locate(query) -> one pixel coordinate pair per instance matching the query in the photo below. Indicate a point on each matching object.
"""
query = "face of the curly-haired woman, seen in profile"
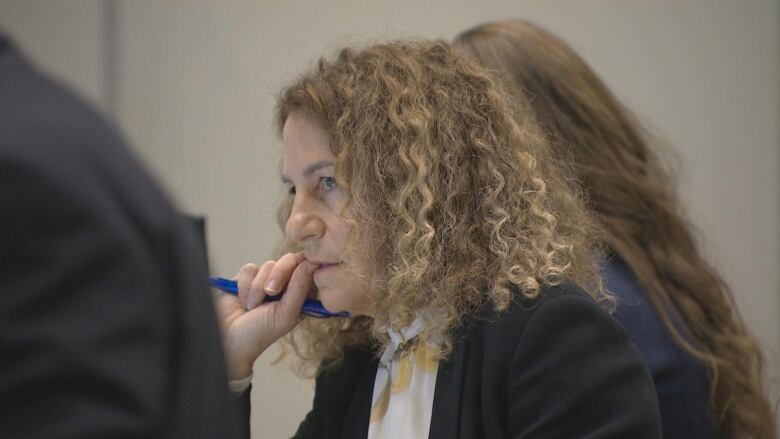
(316, 220)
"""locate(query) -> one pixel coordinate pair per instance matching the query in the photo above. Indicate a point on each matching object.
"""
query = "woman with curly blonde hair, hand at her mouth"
(420, 204)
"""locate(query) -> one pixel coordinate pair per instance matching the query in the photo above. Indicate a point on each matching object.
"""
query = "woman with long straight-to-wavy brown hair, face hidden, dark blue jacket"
(679, 312)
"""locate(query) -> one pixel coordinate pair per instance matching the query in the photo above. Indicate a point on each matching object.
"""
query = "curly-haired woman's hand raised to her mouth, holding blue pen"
(250, 326)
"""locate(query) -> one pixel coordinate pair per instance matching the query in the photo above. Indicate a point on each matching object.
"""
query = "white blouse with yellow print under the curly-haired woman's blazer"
(403, 389)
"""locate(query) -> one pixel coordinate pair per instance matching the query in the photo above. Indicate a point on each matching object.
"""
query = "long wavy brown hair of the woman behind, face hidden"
(629, 189)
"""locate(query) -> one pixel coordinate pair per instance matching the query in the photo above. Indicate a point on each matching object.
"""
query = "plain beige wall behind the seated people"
(192, 85)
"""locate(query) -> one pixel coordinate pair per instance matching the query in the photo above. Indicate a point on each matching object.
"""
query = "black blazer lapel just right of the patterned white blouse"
(445, 416)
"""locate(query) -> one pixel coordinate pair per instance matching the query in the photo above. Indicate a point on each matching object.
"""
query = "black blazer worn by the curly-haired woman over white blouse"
(555, 367)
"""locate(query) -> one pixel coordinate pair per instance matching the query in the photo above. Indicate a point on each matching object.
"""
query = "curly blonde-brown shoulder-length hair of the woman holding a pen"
(454, 200)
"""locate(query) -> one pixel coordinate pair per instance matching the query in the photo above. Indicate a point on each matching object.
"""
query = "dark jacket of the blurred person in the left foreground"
(107, 328)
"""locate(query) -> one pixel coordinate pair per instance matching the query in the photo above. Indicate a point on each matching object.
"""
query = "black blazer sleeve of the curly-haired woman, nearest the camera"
(576, 374)
